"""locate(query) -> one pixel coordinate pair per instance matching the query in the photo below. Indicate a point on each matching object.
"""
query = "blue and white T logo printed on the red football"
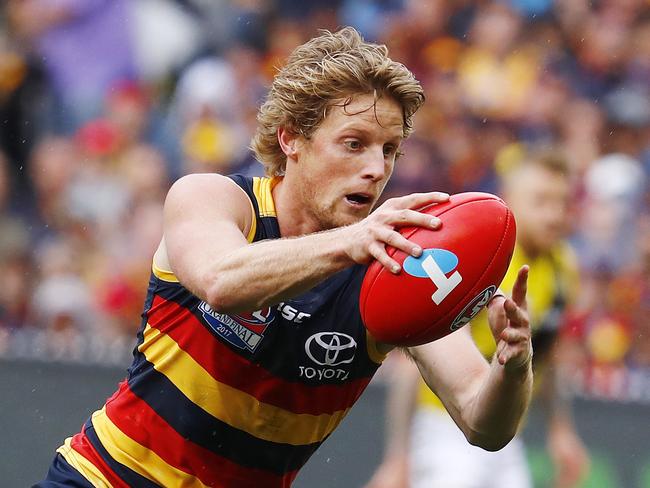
(436, 264)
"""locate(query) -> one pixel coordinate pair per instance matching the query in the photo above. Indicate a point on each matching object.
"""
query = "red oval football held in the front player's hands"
(462, 264)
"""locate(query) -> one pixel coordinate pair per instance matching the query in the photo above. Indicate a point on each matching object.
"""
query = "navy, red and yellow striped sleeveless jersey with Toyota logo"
(239, 400)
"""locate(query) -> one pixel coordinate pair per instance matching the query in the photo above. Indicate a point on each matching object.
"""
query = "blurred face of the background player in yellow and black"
(539, 199)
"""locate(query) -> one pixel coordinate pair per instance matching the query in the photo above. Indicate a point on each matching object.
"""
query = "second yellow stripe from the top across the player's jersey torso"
(137, 457)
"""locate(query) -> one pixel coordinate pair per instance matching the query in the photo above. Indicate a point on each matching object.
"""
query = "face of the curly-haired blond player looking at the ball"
(345, 165)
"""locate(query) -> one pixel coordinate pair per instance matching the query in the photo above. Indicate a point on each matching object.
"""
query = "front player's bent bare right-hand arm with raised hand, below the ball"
(487, 401)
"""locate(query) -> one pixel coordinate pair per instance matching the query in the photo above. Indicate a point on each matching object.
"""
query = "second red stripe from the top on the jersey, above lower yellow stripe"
(129, 413)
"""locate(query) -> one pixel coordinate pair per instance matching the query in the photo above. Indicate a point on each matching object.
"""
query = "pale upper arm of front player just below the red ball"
(453, 368)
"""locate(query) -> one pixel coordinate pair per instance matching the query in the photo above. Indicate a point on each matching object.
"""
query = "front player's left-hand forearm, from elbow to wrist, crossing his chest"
(268, 272)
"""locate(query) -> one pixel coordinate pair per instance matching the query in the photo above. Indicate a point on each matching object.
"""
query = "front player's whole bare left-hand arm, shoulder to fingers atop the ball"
(205, 221)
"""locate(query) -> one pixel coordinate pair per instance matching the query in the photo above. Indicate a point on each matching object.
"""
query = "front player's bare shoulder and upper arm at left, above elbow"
(205, 218)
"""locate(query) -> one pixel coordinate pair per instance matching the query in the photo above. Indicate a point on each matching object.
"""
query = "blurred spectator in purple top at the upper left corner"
(85, 47)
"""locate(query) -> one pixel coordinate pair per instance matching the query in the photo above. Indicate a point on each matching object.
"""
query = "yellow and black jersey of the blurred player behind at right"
(552, 284)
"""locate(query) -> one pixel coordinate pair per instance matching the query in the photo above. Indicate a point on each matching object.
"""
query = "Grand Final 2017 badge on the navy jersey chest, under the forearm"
(245, 330)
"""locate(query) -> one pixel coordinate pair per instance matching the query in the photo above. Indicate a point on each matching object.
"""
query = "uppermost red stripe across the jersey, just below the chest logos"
(230, 368)
